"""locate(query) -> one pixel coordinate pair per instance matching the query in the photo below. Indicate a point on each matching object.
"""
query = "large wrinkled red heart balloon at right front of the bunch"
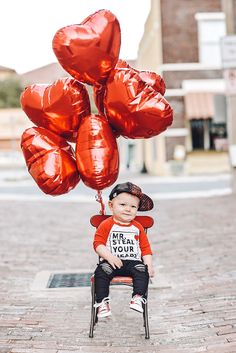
(133, 108)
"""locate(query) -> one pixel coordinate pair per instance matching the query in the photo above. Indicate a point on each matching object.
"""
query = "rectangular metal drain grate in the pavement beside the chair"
(68, 280)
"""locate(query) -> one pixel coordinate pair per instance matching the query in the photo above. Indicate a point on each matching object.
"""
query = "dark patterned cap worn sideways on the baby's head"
(146, 202)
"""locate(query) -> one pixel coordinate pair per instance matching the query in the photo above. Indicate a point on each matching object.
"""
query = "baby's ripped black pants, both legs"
(132, 268)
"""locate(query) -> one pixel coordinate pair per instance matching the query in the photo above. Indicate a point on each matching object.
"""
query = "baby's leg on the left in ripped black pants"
(103, 276)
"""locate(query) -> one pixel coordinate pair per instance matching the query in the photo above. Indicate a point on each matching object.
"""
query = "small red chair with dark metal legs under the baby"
(147, 222)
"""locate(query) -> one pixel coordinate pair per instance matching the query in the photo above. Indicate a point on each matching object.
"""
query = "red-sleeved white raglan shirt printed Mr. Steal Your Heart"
(128, 242)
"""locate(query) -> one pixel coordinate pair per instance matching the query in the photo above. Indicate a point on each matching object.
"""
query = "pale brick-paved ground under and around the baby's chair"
(192, 306)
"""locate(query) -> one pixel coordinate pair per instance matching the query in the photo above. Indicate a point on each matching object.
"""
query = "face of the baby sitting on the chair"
(124, 207)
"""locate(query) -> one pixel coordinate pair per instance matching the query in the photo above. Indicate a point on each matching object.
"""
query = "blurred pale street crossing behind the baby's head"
(15, 184)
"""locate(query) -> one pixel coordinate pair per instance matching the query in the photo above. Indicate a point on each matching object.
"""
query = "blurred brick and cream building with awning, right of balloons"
(181, 42)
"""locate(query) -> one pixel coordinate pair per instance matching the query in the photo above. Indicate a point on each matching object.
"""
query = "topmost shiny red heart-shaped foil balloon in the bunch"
(90, 50)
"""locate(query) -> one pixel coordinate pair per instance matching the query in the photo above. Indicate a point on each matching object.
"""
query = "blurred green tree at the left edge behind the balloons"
(10, 91)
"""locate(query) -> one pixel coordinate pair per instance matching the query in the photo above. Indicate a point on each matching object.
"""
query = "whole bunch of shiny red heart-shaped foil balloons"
(130, 103)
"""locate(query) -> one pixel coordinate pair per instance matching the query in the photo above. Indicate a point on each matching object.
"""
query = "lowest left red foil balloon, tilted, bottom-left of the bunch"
(50, 161)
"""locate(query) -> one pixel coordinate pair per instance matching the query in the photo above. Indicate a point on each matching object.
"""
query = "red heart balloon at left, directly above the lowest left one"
(58, 107)
